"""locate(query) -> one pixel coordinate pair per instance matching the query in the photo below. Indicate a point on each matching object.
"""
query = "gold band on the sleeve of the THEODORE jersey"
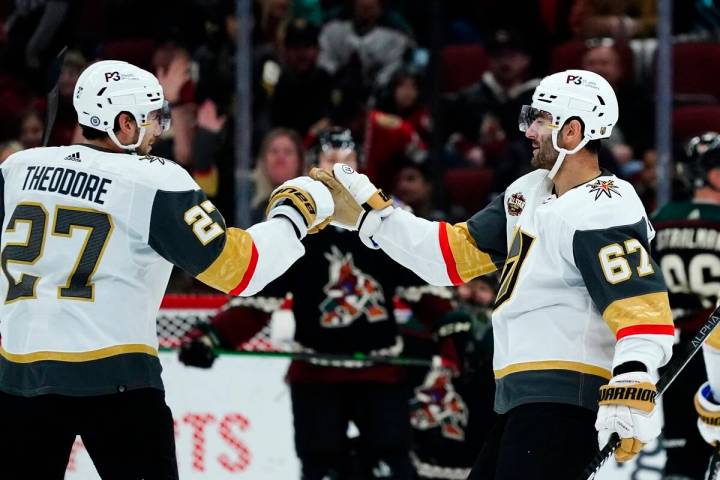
(228, 269)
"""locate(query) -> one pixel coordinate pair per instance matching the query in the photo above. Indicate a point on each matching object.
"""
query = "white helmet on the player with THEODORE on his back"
(109, 87)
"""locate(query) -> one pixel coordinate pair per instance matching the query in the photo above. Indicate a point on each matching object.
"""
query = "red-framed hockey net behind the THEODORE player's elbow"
(180, 312)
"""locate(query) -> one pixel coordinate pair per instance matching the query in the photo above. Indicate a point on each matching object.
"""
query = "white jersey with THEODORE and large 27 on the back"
(88, 241)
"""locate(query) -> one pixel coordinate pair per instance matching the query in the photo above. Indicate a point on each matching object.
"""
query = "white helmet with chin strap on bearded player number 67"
(573, 94)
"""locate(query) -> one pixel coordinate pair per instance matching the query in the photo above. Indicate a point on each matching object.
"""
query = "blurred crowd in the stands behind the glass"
(431, 90)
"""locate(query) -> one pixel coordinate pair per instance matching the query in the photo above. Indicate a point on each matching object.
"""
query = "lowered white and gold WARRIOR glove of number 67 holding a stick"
(627, 407)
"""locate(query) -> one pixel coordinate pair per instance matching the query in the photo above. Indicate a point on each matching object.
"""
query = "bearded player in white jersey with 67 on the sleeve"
(582, 314)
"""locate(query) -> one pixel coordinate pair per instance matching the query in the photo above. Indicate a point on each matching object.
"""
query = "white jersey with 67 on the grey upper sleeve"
(578, 295)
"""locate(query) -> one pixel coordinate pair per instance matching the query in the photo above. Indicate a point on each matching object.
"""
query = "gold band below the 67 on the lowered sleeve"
(648, 309)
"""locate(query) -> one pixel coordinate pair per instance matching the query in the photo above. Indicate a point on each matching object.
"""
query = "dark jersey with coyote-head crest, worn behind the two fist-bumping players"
(342, 301)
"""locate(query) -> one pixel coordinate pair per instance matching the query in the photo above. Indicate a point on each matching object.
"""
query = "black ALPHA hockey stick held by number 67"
(673, 370)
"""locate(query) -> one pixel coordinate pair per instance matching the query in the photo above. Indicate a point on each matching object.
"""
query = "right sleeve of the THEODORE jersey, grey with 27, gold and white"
(186, 229)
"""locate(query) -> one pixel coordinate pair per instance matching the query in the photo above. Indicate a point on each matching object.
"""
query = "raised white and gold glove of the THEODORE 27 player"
(307, 203)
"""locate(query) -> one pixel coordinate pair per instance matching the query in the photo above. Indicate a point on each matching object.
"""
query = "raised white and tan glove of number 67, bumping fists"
(359, 205)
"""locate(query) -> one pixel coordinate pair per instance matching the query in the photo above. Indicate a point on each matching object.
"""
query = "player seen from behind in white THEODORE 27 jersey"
(89, 236)
